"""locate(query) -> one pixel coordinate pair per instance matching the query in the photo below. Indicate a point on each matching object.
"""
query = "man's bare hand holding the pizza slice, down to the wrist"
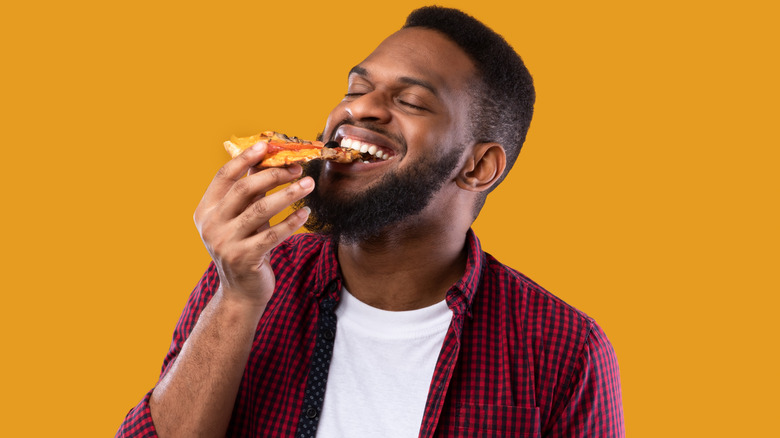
(233, 221)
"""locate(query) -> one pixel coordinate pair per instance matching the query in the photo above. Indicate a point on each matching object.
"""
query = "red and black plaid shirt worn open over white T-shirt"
(516, 360)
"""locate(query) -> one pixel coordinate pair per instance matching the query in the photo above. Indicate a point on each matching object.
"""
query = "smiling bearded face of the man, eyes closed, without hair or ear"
(408, 101)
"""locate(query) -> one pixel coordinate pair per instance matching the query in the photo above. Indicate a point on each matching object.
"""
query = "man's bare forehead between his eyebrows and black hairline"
(425, 54)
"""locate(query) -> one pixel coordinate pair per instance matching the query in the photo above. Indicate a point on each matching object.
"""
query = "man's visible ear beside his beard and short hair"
(483, 167)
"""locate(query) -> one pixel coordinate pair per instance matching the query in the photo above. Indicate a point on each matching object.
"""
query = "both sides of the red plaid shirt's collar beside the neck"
(459, 297)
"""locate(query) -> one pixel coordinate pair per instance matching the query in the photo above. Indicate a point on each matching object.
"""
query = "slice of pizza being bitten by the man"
(284, 151)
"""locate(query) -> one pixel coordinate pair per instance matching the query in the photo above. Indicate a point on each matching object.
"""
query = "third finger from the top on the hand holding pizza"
(258, 213)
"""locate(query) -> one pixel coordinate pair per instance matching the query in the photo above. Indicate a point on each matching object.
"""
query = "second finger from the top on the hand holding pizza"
(253, 188)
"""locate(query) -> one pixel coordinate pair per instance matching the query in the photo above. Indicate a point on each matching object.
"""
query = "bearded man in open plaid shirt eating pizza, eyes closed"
(390, 320)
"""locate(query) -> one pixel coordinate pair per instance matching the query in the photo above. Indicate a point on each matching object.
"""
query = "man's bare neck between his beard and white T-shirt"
(404, 270)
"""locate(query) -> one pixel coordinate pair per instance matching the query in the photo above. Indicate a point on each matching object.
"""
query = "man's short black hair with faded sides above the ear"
(504, 100)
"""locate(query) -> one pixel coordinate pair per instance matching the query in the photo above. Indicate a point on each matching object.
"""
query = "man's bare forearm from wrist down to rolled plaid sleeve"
(197, 394)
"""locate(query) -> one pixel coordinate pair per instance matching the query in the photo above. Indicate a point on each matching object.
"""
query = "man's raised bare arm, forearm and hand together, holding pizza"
(196, 395)
